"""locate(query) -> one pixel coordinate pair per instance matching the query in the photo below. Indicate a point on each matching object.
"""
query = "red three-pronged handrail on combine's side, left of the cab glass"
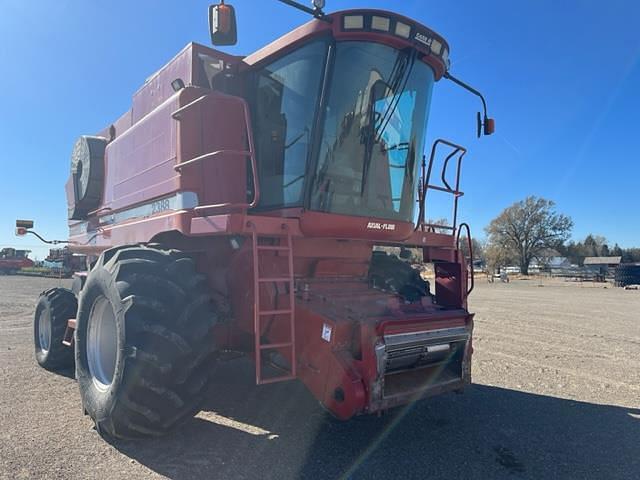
(245, 153)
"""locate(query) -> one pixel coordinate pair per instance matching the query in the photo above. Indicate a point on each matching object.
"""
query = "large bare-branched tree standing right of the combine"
(528, 227)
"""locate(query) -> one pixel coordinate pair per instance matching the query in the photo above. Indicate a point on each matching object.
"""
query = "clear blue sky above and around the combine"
(562, 80)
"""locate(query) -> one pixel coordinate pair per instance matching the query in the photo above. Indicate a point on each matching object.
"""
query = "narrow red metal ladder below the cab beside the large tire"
(259, 281)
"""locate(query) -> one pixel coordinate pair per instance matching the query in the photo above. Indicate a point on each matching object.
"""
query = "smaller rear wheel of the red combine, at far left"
(54, 308)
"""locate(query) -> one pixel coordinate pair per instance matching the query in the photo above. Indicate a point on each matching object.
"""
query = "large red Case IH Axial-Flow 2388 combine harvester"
(238, 205)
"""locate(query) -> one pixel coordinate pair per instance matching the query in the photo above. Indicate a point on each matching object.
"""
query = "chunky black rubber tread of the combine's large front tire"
(168, 317)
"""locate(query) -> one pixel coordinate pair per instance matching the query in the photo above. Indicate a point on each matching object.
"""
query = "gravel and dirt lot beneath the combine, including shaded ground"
(556, 394)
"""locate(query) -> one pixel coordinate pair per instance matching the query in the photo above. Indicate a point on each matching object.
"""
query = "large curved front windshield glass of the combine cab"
(373, 133)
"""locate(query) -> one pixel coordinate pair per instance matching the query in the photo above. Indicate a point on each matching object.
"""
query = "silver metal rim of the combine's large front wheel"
(102, 343)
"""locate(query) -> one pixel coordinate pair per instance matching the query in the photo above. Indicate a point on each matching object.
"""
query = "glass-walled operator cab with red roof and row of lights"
(339, 110)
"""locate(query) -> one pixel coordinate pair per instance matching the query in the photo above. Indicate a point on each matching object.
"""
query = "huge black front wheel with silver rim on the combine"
(143, 341)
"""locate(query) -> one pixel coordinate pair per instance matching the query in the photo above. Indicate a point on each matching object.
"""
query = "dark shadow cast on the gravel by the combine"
(279, 431)
